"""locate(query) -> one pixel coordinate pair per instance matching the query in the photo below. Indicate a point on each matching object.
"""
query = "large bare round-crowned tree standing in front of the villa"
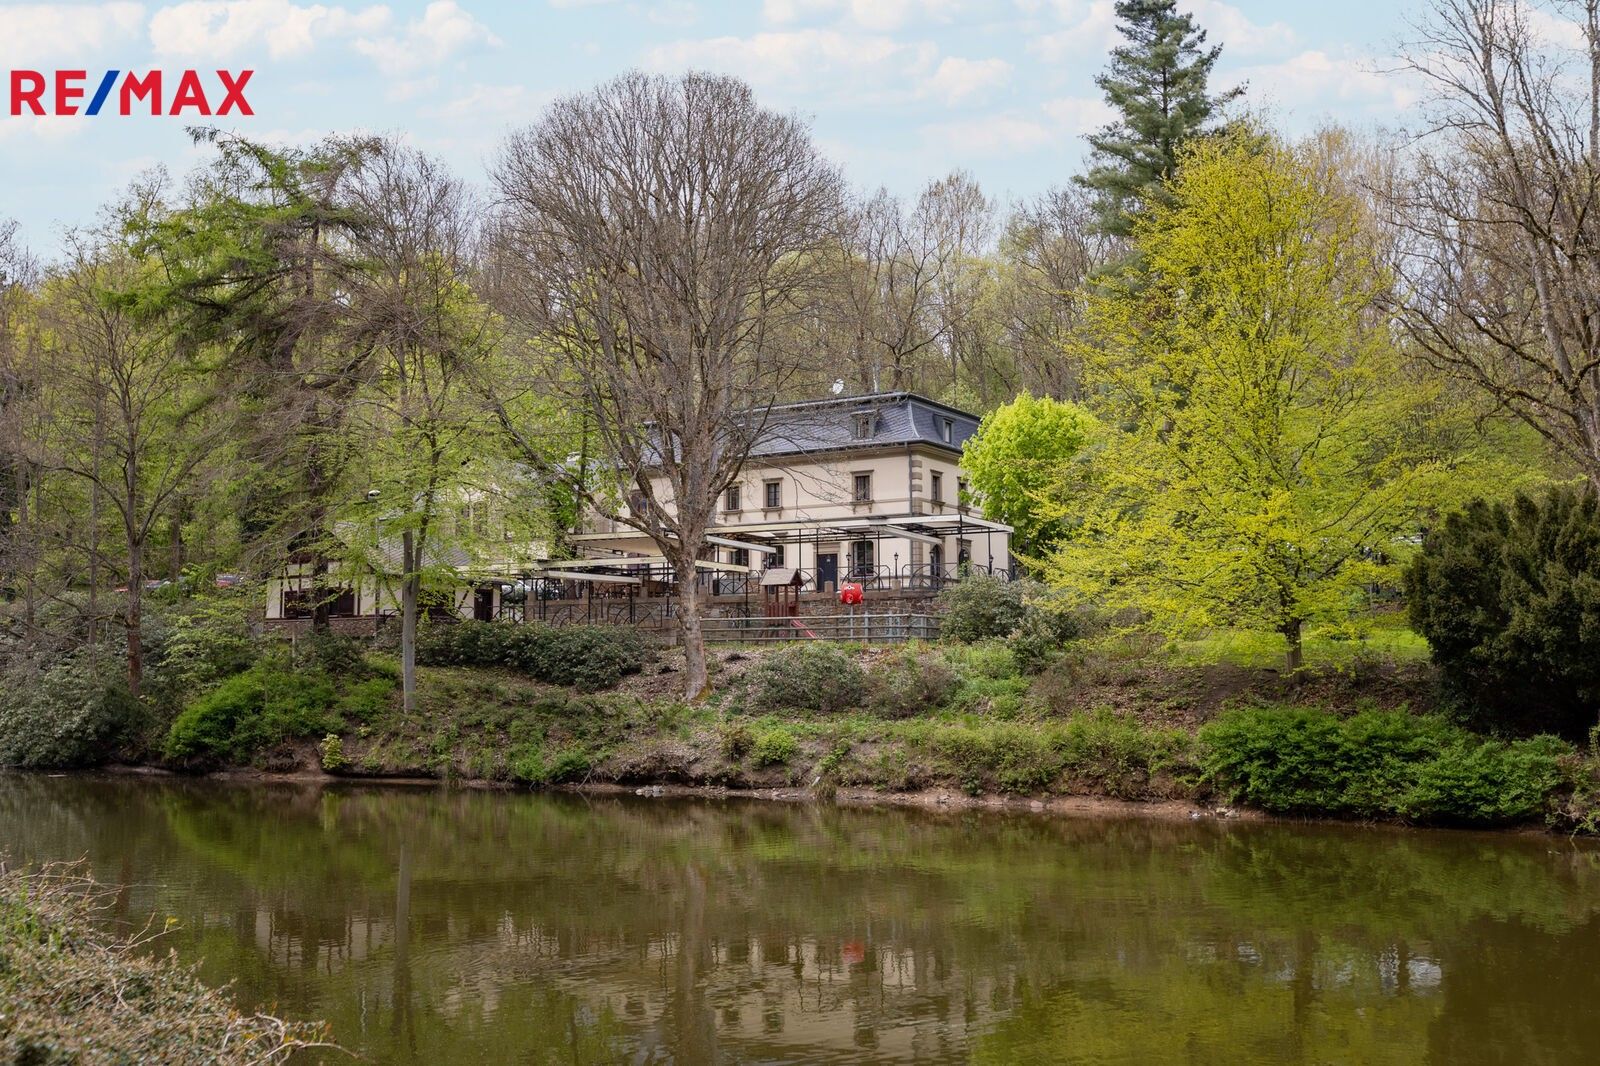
(670, 234)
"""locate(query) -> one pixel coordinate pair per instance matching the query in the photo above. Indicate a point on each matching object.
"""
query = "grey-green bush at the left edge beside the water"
(78, 713)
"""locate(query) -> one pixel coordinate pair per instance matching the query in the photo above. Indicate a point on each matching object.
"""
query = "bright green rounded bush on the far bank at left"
(252, 711)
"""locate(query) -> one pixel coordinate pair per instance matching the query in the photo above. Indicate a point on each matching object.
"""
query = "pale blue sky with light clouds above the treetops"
(898, 90)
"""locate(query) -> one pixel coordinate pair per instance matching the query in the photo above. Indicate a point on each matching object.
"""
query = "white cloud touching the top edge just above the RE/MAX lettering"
(222, 28)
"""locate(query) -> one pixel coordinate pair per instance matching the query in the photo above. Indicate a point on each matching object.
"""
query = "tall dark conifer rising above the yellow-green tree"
(1159, 84)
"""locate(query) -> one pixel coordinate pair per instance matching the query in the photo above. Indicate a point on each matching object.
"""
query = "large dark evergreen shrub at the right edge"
(1510, 601)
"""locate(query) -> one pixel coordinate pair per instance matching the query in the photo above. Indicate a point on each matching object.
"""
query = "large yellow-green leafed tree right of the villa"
(1268, 459)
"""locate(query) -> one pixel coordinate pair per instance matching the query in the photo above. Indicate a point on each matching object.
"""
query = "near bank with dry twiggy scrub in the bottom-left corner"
(71, 992)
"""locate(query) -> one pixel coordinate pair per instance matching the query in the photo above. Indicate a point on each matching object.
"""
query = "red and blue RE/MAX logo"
(135, 94)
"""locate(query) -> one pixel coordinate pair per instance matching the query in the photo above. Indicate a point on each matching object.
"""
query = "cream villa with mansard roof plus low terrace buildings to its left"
(862, 489)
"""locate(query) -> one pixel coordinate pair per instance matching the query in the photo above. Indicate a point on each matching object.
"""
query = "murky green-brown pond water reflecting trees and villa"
(490, 928)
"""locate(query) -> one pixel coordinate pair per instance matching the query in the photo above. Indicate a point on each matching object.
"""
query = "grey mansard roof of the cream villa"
(898, 419)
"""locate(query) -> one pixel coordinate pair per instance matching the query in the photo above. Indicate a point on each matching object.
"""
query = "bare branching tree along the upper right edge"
(1502, 220)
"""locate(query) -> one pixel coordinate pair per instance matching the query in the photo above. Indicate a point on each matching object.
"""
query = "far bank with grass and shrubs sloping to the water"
(956, 726)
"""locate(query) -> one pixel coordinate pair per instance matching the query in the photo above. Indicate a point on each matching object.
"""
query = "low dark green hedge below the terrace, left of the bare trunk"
(586, 657)
